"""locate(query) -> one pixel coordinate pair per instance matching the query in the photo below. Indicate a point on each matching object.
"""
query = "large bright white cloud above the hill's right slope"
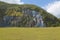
(54, 8)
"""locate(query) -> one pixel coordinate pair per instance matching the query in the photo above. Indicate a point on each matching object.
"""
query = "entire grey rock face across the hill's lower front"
(30, 18)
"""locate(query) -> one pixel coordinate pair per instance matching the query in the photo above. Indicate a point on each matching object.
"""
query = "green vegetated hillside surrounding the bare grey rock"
(16, 11)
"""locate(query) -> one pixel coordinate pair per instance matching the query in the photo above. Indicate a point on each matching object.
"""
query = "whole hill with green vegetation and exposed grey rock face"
(26, 15)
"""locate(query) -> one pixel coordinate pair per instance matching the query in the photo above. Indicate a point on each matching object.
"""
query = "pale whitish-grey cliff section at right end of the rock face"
(38, 19)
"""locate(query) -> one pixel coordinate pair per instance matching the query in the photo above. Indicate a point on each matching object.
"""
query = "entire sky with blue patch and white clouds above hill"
(51, 6)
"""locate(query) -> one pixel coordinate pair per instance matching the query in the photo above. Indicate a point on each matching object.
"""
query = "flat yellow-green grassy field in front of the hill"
(29, 33)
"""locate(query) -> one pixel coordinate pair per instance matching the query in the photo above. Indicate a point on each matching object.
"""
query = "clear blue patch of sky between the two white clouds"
(40, 3)
